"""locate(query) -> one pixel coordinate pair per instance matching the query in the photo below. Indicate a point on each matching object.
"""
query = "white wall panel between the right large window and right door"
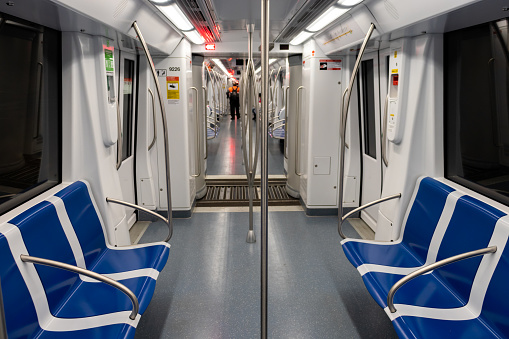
(420, 151)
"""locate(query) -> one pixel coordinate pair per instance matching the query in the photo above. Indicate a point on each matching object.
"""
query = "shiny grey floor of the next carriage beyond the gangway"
(225, 152)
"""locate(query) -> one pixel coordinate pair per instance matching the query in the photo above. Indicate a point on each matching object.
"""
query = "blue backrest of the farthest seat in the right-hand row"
(425, 211)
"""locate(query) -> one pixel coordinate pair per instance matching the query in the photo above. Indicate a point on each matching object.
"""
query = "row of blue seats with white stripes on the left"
(66, 227)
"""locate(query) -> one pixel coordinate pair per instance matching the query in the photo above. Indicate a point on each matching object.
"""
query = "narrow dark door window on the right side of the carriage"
(368, 107)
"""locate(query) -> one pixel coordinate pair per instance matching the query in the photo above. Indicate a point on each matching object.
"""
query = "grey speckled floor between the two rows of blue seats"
(210, 287)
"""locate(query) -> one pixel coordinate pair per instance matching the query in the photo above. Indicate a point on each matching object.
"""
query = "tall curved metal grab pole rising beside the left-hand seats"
(165, 129)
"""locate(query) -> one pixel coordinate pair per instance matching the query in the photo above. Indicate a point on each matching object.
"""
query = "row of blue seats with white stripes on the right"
(441, 223)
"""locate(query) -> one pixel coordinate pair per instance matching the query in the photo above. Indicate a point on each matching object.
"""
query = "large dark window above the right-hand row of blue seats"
(477, 108)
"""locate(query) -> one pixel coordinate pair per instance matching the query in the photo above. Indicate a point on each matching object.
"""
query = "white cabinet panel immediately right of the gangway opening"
(320, 126)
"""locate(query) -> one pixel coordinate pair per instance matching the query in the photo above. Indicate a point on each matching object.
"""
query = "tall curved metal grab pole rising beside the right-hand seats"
(344, 115)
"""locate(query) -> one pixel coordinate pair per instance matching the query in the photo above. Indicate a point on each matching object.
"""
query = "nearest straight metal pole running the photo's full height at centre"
(264, 174)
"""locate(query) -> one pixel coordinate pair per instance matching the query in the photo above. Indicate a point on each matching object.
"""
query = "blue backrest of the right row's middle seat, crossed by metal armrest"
(470, 228)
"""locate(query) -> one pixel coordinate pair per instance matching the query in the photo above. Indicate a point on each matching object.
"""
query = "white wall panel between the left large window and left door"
(84, 154)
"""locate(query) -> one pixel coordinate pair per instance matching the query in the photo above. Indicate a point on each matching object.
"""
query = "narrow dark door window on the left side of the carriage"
(127, 128)
